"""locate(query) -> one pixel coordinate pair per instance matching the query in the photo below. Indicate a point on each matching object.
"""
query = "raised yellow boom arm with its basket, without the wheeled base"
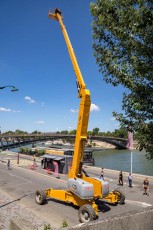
(84, 94)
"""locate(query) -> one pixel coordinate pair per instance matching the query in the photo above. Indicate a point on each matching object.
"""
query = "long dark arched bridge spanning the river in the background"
(10, 141)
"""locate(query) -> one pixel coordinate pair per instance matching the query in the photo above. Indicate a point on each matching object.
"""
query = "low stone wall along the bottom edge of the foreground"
(138, 220)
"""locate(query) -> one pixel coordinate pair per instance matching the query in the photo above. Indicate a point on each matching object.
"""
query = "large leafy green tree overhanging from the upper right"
(123, 48)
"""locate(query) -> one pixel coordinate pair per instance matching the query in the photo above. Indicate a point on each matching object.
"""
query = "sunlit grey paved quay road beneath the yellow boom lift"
(20, 184)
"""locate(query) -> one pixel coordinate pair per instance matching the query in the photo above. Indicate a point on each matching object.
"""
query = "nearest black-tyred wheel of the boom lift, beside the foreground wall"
(86, 213)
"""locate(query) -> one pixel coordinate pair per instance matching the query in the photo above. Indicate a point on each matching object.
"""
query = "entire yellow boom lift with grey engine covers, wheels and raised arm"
(83, 191)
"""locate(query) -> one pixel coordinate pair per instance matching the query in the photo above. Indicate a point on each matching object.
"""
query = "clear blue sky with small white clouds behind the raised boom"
(34, 58)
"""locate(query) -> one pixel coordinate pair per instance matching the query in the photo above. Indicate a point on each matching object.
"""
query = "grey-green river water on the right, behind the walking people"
(121, 160)
